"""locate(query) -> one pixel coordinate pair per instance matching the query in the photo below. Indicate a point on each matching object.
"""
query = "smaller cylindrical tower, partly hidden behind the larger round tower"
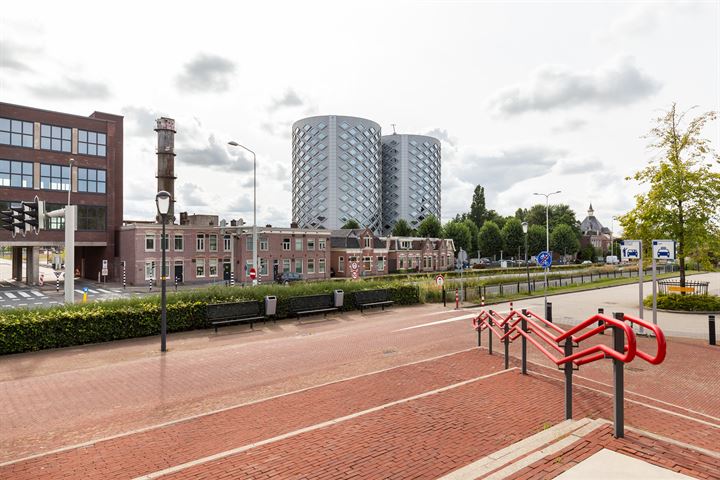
(411, 179)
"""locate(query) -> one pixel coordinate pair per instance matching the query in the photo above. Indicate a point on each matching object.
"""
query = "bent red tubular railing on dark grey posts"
(562, 347)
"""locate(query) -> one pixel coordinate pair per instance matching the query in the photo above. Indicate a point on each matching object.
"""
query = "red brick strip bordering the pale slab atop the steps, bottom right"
(657, 452)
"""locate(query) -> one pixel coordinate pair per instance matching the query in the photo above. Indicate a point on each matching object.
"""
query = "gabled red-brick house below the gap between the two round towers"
(358, 251)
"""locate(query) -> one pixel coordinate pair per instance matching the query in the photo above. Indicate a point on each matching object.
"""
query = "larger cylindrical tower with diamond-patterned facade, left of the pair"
(336, 172)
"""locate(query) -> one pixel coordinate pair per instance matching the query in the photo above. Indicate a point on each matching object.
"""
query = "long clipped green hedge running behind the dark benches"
(23, 330)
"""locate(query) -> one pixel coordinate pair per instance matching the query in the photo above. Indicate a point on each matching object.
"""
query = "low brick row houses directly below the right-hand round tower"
(415, 254)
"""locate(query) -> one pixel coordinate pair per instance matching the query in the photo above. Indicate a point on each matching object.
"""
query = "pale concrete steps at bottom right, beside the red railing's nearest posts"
(519, 455)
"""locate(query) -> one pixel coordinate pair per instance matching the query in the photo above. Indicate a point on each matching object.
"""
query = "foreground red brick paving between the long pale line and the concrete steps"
(420, 438)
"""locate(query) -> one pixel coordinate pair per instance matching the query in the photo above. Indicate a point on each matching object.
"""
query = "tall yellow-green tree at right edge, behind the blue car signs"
(684, 196)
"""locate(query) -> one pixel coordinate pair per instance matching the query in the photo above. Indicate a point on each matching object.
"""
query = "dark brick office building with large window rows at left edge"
(46, 154)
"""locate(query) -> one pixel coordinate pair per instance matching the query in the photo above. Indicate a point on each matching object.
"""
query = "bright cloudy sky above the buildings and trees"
(526, 97)
